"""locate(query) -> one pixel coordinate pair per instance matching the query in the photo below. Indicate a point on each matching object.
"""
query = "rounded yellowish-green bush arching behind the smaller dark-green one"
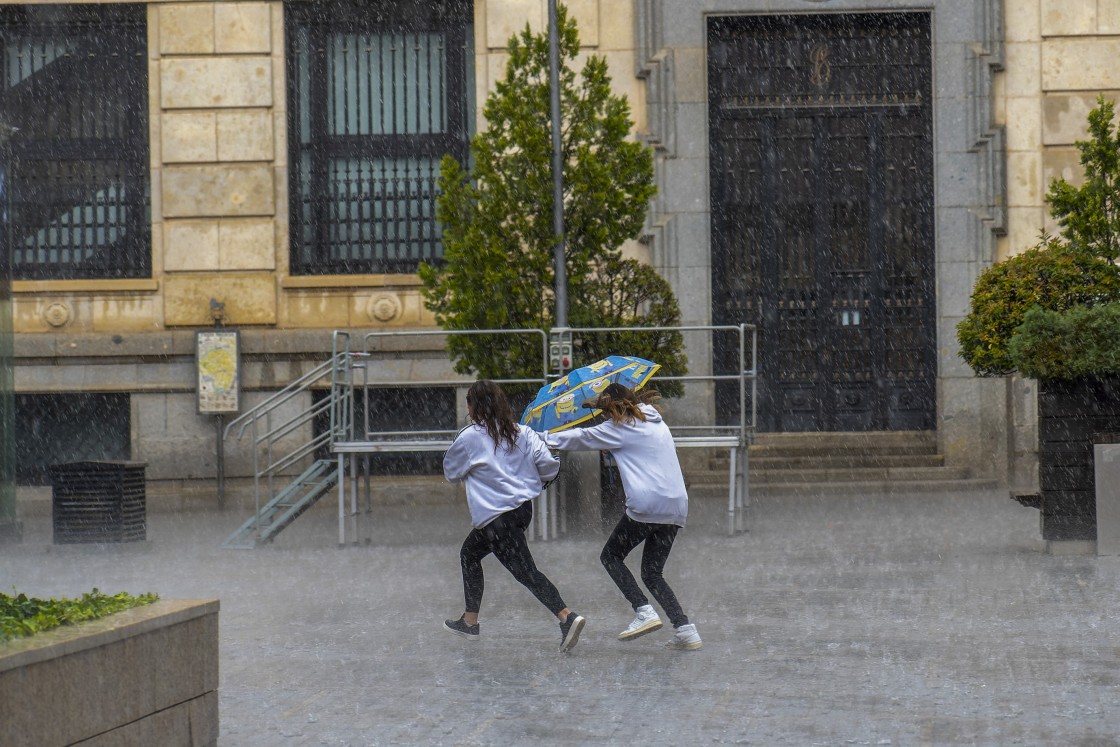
(1052, 276)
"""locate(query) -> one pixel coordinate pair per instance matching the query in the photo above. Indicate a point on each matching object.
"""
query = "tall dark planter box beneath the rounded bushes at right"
(1071, 415)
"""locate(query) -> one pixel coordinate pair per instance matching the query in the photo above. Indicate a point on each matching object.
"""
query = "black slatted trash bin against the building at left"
(99, 502)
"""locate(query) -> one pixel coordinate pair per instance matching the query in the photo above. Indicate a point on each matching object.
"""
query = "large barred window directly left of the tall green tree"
(378, 95)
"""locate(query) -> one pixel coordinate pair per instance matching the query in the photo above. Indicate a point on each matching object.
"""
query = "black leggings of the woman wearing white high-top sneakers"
(659, 543)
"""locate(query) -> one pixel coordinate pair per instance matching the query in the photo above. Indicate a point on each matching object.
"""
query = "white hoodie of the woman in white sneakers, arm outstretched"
(648, 464)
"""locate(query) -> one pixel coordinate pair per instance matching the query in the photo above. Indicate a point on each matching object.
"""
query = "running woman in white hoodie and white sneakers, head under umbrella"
(657, 506)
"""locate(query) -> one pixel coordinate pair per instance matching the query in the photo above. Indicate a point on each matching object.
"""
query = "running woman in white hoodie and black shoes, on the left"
(505, 466)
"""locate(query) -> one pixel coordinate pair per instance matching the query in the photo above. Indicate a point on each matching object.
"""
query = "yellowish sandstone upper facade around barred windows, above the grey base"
(218, 108)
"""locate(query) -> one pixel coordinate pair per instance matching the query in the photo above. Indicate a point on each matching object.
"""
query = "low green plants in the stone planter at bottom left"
(22, 615)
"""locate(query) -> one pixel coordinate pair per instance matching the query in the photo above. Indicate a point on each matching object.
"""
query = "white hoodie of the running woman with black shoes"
(499, 479)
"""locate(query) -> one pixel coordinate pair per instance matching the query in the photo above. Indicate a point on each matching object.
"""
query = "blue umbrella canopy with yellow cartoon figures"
(559, 406)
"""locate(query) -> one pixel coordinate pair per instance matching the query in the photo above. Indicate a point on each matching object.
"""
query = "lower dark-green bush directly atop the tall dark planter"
(1074, 344)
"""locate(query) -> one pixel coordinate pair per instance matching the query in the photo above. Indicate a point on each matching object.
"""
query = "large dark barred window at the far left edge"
(76, 163)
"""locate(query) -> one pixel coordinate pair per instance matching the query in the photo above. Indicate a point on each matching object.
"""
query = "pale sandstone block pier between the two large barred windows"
(218, 77)
